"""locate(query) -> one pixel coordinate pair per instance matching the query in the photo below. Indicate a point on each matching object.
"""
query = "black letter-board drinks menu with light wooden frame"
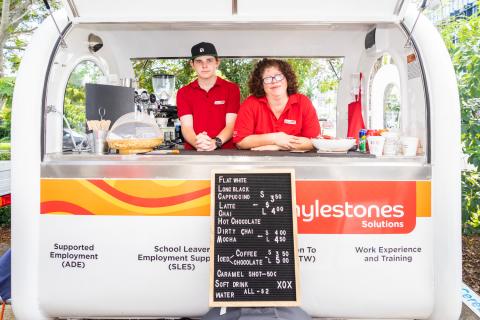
(254, 260)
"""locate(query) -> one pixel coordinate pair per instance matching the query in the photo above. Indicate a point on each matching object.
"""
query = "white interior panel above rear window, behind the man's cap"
(235, 40)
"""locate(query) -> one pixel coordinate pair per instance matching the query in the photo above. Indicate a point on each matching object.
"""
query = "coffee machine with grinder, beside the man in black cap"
(165, 113)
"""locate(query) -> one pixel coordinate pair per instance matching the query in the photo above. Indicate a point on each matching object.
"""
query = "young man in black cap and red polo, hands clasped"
(208, 106)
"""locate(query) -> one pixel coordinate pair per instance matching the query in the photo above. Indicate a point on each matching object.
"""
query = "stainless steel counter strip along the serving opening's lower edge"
(192, 165)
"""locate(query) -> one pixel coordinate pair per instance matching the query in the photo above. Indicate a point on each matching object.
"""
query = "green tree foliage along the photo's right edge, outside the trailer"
(462, 37)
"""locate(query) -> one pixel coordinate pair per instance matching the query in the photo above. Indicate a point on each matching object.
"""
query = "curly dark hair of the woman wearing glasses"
(255, 83)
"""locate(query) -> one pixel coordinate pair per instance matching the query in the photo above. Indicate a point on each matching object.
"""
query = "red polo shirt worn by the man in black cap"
(209, 108)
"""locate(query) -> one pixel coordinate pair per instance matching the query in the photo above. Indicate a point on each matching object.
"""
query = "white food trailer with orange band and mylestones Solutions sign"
(112, 236)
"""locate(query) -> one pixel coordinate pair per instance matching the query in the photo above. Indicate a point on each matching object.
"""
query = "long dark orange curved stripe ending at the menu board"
(149, 202)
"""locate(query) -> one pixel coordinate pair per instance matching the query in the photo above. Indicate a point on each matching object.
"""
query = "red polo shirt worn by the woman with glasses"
(255, 117)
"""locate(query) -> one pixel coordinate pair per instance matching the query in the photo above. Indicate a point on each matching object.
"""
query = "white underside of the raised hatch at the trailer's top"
(150, 10)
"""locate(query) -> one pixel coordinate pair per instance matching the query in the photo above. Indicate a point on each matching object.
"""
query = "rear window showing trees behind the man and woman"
(318, 79)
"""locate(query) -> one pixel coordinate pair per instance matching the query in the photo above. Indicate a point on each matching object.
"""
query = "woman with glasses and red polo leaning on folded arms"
(275, 116)
